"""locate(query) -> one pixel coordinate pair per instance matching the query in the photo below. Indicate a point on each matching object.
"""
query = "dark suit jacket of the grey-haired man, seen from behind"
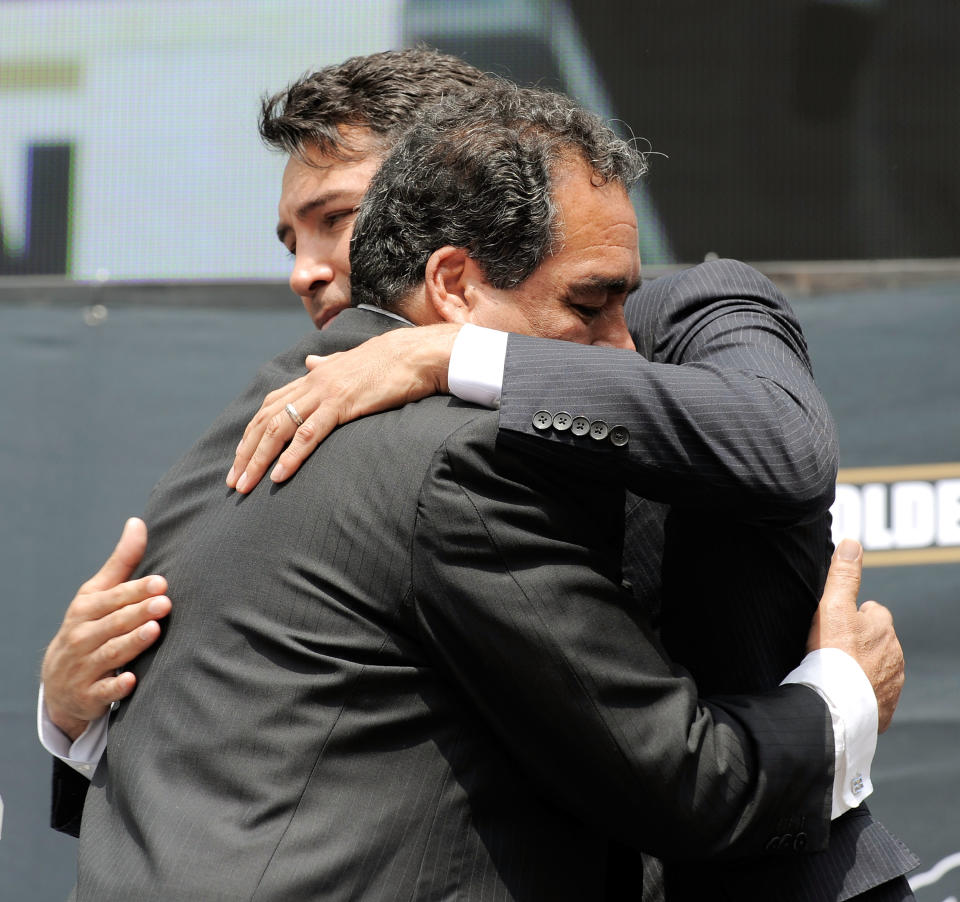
(413, 673)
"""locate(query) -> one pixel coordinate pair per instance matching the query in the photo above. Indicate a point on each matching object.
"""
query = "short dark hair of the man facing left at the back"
(382, 92)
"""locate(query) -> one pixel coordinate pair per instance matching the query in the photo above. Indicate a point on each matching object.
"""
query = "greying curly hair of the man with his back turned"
(476, 173)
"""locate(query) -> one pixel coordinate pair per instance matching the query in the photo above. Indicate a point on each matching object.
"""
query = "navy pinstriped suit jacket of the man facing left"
(739, 443)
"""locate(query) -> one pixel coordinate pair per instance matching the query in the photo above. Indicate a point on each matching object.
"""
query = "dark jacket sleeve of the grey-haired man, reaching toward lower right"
(517, 592)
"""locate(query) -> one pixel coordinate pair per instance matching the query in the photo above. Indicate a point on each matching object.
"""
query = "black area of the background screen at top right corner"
(795, 130)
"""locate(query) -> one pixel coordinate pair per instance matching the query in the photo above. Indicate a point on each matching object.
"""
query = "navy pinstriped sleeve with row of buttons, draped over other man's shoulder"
(720, 403)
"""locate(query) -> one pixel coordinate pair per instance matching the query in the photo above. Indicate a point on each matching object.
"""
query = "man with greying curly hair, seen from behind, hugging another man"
(414, 671)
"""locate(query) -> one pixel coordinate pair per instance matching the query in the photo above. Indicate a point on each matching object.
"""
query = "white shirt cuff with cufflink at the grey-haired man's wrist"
(843, 685)
